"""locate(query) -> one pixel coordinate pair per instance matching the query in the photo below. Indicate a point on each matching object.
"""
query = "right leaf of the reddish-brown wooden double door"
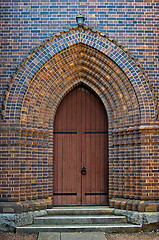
(94, 184)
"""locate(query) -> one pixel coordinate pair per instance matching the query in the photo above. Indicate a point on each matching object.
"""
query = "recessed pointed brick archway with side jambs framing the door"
(42, 81)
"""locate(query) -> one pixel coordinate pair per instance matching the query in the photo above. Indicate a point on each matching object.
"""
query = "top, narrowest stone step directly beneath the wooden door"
(94, 210)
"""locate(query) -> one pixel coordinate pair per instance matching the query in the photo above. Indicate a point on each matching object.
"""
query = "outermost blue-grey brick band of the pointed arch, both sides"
(82, 37)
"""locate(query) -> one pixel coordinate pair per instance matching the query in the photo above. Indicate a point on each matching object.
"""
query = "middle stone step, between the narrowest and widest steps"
(80, 219)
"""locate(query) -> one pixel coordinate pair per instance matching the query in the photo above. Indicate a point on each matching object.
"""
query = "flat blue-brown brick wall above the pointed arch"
(25, 24)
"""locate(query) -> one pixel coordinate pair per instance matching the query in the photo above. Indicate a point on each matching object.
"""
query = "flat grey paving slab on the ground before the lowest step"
(72, 236)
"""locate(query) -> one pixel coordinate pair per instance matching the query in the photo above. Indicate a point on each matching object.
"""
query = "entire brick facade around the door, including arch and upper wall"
(49, 72)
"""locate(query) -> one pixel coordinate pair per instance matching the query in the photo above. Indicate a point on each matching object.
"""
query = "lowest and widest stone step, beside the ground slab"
(108, 228)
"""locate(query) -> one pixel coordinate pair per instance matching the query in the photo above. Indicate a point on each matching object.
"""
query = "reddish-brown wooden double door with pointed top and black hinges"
(81, 150)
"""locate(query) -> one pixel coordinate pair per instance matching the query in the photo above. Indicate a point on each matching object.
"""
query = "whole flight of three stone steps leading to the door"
(80, 219)
